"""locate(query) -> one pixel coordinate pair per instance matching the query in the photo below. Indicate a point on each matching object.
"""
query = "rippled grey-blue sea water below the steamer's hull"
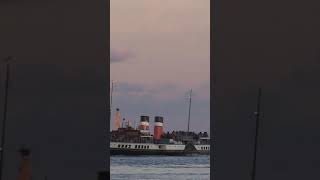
(160, 167)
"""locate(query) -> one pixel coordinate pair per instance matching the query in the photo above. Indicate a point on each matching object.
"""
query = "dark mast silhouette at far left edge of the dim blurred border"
(4, 116)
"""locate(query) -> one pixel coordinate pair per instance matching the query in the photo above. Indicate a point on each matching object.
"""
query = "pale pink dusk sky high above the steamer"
(163, 47)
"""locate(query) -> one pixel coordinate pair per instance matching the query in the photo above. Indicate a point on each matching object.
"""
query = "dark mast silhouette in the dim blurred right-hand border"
(257, 113)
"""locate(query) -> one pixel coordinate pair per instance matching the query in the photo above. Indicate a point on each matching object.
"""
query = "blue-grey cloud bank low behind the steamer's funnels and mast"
(138, 99)
